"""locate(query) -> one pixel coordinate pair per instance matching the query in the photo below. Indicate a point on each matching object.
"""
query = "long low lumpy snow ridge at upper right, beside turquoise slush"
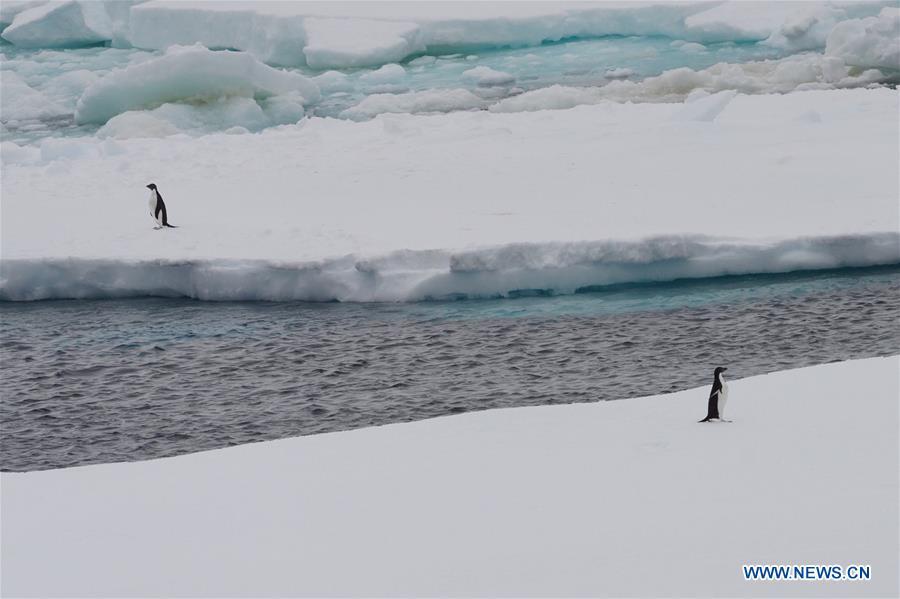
(800, 72)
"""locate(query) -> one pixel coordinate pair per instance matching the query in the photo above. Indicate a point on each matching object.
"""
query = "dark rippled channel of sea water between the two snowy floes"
(97, 381)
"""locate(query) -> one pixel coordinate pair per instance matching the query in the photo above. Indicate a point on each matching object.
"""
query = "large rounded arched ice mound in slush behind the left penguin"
(187, 74)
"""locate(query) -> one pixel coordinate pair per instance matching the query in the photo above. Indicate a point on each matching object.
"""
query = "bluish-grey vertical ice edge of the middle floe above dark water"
(510, 270)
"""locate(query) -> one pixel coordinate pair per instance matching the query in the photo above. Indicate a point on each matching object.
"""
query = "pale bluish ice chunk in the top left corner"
(60, 24)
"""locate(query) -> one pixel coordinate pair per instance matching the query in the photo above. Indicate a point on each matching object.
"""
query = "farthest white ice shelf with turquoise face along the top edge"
(350, 34)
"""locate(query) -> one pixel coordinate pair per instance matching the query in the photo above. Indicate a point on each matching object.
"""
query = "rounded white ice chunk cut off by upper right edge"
(868, 42)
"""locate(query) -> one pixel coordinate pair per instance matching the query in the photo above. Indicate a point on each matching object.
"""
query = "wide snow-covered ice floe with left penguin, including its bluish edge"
(406, 207)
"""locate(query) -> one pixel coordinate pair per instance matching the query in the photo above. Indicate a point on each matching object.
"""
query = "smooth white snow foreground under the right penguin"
(624, 498)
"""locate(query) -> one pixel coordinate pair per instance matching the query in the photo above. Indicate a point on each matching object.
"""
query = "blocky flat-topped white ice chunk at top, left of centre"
(358, 42)
